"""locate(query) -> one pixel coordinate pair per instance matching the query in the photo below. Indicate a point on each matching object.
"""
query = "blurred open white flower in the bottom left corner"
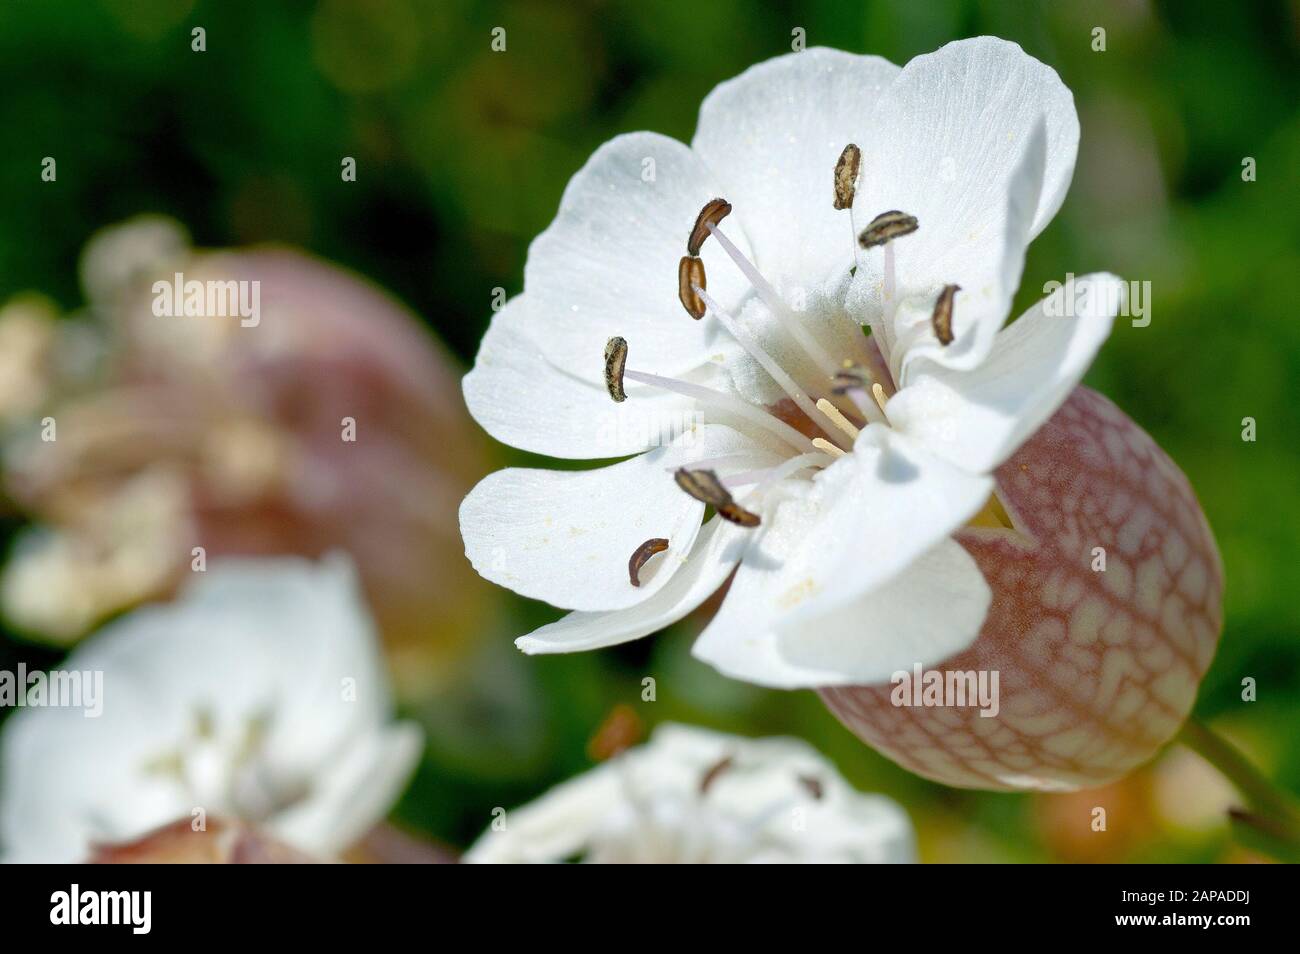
(259, 697)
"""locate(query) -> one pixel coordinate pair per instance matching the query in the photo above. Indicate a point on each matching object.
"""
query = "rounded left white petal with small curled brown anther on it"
(566, 537)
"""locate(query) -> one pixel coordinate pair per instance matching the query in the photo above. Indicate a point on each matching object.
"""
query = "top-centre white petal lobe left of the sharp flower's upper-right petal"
(774, 135)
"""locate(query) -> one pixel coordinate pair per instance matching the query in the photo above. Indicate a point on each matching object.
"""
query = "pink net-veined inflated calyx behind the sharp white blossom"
(1098, 669)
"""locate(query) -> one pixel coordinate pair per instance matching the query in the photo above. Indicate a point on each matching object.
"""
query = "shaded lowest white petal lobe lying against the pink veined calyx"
(928, 614)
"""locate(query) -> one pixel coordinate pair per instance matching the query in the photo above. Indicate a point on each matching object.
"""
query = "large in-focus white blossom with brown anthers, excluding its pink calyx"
(852, 573)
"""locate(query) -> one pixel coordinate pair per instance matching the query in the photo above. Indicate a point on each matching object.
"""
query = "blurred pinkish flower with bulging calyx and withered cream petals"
(333, 424)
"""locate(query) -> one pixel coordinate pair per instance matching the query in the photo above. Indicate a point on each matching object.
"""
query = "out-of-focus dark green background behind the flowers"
(462, 157)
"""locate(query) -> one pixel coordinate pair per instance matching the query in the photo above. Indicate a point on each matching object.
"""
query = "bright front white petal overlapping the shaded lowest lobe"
(865, 522)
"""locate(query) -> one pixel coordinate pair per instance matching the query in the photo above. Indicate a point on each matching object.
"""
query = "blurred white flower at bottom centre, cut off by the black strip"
(692, 796)
